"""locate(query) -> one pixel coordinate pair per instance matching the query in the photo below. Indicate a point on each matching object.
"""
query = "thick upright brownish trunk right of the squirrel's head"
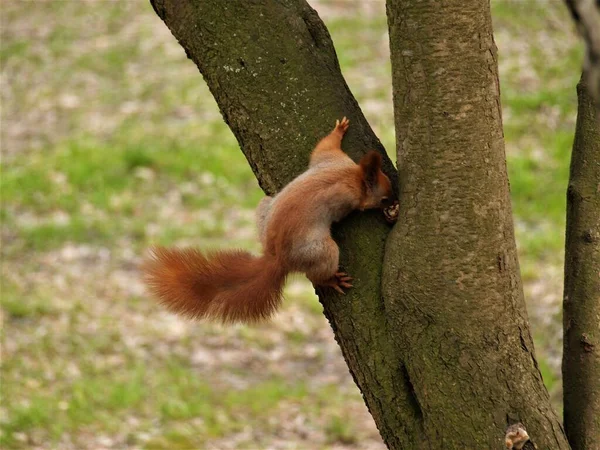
(451, 281)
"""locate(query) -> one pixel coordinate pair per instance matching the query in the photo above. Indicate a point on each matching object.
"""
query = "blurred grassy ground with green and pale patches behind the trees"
(111, 141)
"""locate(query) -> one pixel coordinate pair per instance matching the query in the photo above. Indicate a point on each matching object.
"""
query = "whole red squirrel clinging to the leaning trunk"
(294, 230)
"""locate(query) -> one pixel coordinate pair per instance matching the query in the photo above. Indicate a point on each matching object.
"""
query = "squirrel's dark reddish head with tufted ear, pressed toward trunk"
(377, 189)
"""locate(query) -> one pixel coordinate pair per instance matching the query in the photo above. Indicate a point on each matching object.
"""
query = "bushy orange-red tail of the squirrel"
(229, 286)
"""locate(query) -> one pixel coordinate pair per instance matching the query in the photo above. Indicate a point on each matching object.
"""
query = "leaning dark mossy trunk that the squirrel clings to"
(273, 70)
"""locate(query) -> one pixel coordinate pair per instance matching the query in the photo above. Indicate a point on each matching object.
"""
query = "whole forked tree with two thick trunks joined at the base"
(446, 361)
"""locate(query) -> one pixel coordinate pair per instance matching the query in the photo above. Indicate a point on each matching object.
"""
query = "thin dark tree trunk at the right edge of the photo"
(581, 317)
